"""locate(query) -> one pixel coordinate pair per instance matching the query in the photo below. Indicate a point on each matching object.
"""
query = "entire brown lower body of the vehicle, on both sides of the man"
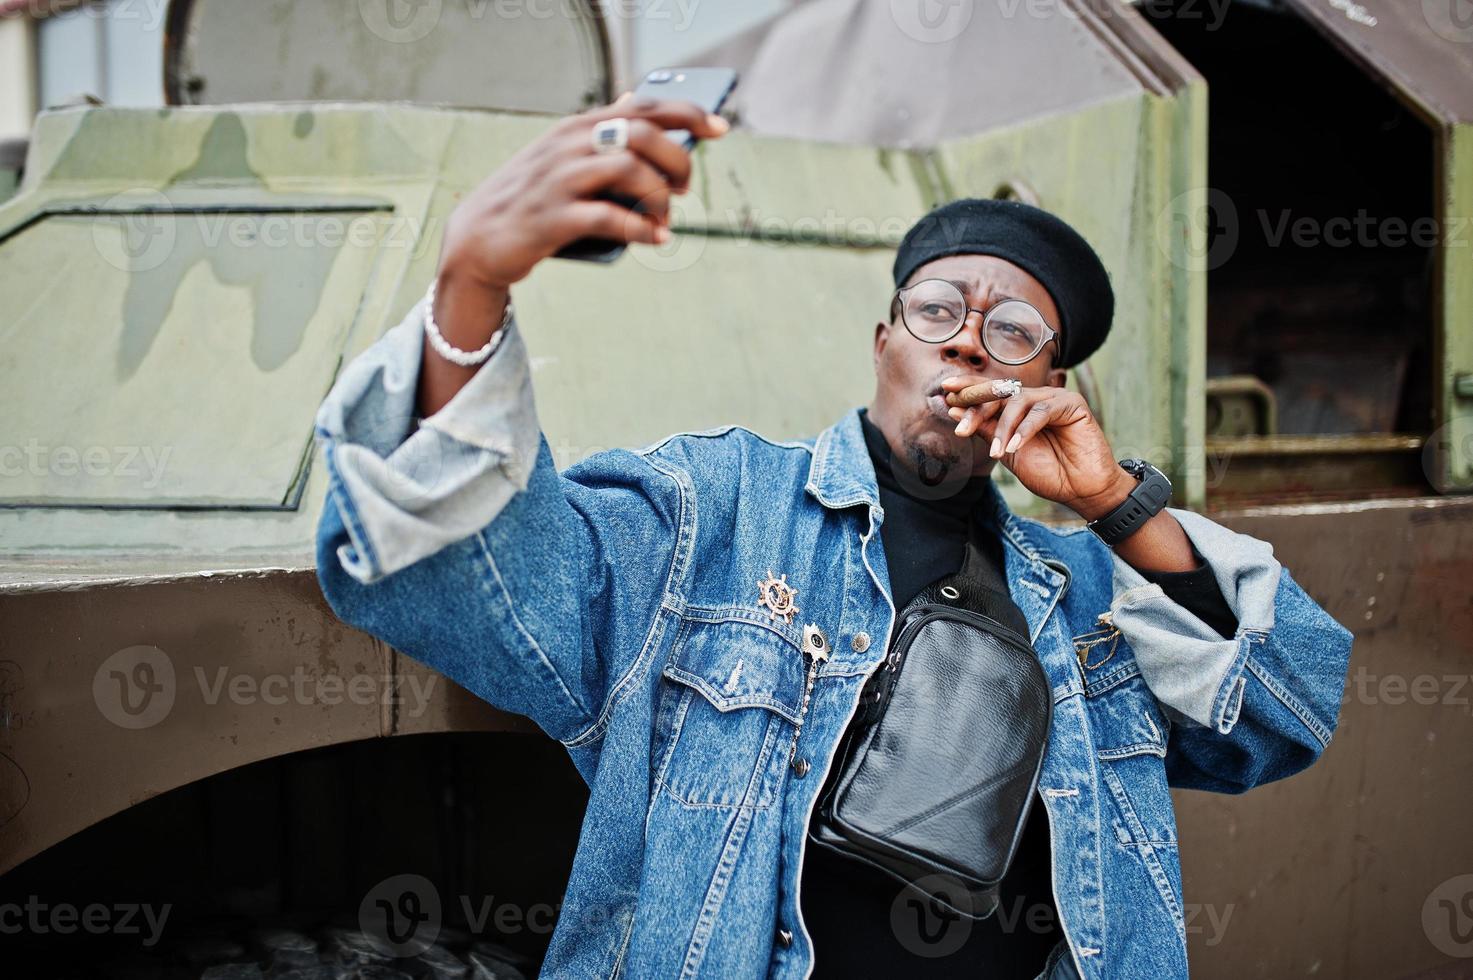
(1259, 867)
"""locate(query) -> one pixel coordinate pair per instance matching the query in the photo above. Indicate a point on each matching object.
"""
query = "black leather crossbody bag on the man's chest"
(936, 776)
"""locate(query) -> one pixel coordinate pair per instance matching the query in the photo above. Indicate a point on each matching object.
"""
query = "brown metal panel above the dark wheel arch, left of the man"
(111, 696)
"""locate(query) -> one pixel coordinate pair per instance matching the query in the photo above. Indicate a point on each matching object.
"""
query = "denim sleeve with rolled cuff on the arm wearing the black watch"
(1253, 708)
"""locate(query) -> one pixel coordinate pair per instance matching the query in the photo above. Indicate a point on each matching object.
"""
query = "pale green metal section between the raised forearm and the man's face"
(628, 357)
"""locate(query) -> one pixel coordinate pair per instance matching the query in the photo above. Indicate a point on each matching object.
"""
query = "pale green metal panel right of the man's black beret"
(1119, 172)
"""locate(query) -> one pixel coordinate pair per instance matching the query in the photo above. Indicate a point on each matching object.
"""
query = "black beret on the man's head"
(1038, 242)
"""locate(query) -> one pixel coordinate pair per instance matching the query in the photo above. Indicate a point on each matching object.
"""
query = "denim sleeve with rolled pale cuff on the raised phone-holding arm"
(457, 542)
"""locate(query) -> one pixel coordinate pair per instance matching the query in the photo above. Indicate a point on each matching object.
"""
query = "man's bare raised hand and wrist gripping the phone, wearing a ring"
(552, 194)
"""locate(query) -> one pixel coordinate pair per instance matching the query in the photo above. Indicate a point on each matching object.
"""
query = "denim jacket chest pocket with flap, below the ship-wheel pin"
(731, 698)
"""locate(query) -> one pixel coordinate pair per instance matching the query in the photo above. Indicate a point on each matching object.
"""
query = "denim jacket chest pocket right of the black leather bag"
(1131, 743)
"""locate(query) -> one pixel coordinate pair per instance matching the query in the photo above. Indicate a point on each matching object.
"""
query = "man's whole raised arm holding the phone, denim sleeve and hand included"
(449, 531)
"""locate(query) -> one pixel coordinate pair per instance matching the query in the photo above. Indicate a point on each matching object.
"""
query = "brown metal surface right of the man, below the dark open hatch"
(1340, 870)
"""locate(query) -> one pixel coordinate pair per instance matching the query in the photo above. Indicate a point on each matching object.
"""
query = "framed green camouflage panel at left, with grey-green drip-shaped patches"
(198, 341)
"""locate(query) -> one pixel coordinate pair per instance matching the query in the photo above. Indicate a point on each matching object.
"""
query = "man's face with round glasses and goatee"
(910, 406)
